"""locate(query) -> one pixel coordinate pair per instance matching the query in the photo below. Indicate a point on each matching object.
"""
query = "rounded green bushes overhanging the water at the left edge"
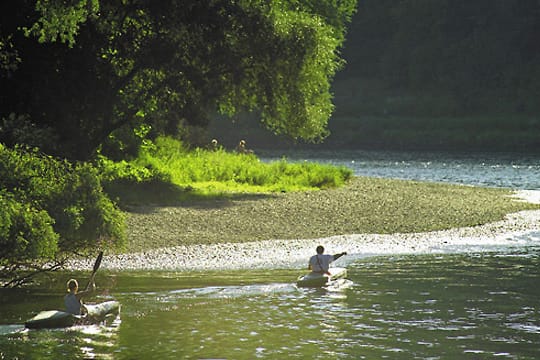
(54, 205)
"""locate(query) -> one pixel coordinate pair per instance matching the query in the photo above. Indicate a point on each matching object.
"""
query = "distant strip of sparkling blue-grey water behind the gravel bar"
(519, 171)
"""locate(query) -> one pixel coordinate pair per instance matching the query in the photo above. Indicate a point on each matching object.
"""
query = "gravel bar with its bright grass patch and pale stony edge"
(222, 219)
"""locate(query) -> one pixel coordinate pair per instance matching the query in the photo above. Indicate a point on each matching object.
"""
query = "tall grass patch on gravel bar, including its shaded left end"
(217, 171)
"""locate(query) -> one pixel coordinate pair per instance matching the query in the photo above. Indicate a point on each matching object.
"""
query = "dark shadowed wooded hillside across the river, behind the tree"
(437, 74)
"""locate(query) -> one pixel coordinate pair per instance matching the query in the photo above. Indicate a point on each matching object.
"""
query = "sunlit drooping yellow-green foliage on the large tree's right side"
(307, 41)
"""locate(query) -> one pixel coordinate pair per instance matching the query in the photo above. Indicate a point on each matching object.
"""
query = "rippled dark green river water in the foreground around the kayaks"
(469, 306)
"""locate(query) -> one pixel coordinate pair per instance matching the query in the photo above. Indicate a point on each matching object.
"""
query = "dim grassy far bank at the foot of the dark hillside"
(351, 129)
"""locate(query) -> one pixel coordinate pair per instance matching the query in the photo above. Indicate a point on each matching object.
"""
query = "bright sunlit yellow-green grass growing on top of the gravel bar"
(222, 170)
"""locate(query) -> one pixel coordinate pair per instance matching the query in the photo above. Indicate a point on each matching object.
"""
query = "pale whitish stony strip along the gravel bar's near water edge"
(293, 253)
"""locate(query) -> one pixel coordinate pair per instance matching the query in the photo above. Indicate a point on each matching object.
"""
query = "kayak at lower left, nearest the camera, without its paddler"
(96, 313)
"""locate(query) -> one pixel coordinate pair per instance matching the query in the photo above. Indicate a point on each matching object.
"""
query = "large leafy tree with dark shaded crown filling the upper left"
(90, 67)
